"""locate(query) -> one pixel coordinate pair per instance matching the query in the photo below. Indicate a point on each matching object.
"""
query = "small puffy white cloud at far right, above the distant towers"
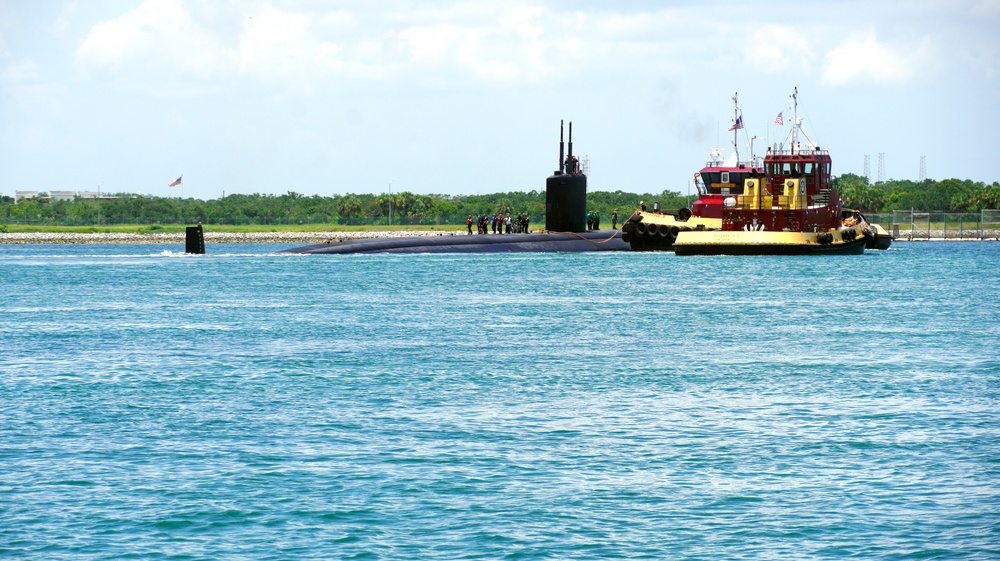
(862, 58)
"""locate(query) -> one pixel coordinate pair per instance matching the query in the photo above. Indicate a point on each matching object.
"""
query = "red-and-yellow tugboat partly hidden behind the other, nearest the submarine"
(655, 229)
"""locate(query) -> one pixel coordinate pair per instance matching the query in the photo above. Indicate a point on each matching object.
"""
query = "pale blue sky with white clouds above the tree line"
(466, 97)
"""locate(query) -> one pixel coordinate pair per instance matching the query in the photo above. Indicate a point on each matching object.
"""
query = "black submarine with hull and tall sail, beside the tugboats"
(565, 225)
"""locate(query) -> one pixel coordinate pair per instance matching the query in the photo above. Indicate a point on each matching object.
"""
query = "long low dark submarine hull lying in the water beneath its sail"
(593, 240)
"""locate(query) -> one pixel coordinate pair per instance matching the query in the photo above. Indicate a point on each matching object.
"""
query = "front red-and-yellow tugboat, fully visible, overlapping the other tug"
(792, 208)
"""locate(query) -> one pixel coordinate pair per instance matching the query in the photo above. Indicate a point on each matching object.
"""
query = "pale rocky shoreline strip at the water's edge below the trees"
(25, 238)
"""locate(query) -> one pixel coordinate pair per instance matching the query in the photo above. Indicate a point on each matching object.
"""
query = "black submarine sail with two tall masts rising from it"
(566, 192)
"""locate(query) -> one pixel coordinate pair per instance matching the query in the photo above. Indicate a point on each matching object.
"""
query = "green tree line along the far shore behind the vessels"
(405, 208)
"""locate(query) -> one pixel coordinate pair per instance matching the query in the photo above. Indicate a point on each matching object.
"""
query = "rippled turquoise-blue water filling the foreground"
(247, 405)
